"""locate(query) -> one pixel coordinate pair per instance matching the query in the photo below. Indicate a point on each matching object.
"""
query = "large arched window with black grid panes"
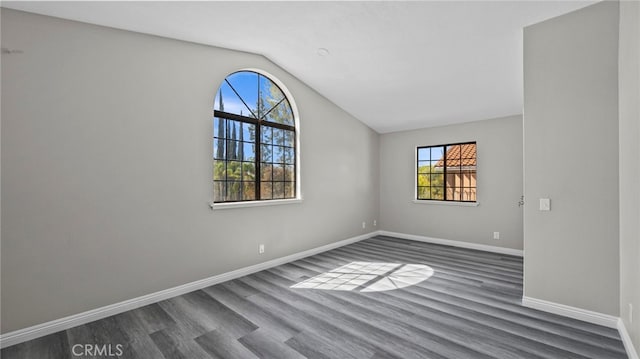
(254, 140)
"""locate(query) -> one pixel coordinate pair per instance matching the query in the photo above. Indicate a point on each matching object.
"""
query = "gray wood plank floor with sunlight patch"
(330, 306)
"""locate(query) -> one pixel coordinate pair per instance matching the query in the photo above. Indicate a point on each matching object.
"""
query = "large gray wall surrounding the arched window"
(106, 169)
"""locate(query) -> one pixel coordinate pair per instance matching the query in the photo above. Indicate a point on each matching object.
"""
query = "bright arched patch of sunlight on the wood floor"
(368, 277)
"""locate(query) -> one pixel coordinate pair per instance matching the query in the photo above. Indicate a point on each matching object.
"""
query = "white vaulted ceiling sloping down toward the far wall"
(394, 65)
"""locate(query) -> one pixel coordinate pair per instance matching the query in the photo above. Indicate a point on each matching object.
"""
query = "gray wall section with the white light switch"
(571, 156)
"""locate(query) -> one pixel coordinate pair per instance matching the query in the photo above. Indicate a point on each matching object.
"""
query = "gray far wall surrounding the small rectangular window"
(499, 152)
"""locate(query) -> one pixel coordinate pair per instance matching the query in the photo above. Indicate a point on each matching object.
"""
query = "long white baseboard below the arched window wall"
(57, 325)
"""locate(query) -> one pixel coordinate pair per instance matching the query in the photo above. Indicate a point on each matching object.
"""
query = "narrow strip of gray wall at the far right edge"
(629, 85)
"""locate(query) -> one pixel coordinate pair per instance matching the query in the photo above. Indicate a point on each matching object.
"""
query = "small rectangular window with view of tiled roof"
(446, 172)
